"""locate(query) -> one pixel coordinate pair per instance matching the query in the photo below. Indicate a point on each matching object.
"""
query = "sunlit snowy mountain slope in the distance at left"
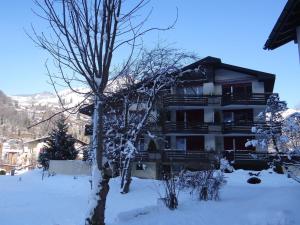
(20, 111)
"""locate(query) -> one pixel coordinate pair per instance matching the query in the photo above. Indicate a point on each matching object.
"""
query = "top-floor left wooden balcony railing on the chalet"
(185, 100)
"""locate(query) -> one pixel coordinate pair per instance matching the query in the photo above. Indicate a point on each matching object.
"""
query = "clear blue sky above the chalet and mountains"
(232, 30)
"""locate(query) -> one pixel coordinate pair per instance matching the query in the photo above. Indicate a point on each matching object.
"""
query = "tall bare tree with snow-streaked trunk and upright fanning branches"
(84, 35)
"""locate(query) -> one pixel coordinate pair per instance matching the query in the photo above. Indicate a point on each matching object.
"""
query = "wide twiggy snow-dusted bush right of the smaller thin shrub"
(206, 184)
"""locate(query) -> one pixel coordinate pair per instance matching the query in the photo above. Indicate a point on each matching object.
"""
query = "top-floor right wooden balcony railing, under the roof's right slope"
(251, 99)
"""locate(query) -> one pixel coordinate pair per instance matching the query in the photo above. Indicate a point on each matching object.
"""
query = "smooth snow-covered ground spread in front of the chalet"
(62, 200)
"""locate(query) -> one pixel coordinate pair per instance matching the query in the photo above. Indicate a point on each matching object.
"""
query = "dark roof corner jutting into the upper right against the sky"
(284, 30)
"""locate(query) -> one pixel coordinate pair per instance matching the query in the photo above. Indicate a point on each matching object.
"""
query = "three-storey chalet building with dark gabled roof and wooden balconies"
(205, 117)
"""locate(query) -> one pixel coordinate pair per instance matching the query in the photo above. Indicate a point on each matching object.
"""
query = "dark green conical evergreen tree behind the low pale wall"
(59, 145)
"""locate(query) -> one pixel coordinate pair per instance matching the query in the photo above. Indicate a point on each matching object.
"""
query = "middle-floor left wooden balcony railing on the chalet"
(186, 127)
